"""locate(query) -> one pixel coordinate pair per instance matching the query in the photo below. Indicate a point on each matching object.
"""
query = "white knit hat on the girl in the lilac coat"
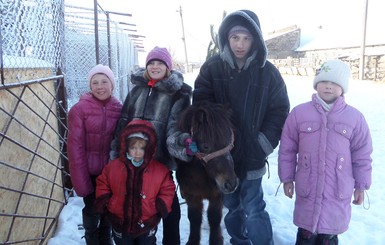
(335, 71)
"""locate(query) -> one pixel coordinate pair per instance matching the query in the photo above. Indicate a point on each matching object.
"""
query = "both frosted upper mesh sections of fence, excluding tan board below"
(49, 34)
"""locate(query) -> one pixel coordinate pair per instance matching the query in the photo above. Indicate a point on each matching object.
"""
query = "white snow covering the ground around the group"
(368, 220)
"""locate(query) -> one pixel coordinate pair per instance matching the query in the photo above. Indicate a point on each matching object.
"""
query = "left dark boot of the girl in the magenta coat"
(90, 224)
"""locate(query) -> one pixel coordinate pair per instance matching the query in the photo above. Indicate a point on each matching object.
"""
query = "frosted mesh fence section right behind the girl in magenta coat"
(115, 49)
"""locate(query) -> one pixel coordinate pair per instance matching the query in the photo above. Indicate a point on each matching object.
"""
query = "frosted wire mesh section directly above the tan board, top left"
(30, 38)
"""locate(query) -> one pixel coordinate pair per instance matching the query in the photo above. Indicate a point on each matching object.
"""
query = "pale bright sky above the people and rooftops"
(161, 23)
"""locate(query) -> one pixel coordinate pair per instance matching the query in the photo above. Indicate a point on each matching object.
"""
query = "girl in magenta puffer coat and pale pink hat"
(91, 125)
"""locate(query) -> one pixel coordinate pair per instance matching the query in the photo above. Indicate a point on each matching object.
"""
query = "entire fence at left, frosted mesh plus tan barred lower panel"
(46, 51)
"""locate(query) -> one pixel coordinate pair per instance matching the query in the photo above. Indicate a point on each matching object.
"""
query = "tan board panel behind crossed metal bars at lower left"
(31, 170)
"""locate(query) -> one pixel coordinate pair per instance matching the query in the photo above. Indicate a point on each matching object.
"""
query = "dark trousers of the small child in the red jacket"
(125, 239)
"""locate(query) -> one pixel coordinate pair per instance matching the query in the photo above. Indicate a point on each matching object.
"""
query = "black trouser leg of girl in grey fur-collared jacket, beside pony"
(171, 234)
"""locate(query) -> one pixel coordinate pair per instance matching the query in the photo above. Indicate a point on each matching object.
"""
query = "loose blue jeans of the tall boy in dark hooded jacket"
(247, 221)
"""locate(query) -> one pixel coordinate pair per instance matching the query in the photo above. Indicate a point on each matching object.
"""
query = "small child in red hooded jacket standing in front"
(135, 190)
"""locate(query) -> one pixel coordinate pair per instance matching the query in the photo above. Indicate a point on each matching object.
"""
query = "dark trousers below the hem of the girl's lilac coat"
(305, 237)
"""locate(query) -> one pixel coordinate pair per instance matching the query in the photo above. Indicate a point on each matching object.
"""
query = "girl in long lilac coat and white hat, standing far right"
(325, 150)
